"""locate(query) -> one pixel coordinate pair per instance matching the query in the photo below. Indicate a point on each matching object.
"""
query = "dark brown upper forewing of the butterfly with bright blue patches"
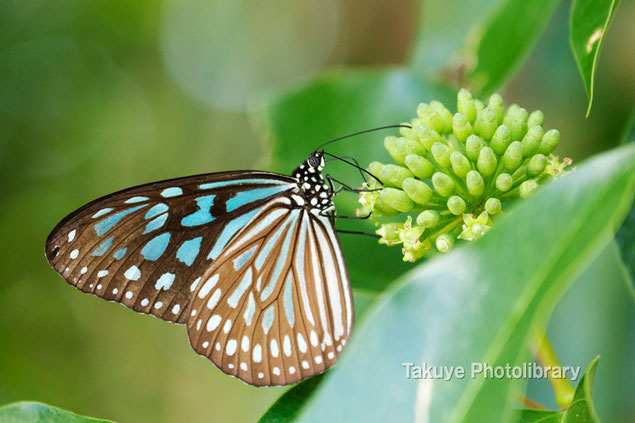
(147, 247)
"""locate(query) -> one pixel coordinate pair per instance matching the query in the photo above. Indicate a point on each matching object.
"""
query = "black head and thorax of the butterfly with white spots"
(313, 193)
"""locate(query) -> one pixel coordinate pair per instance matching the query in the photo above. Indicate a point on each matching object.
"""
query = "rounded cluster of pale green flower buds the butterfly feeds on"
(456, 173)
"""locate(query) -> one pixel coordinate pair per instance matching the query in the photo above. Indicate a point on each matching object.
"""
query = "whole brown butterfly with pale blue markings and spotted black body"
(248, 260)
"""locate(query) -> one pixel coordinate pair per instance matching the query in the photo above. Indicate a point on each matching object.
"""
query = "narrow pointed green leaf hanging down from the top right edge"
(590, 20)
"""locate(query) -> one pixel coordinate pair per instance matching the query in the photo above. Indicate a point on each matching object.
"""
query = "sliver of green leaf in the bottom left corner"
(35, 412)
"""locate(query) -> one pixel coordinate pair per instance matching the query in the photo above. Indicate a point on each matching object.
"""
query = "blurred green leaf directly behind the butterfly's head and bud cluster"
(337, 104)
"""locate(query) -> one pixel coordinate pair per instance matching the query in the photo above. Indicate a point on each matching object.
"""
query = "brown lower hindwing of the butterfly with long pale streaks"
(276, 306)
